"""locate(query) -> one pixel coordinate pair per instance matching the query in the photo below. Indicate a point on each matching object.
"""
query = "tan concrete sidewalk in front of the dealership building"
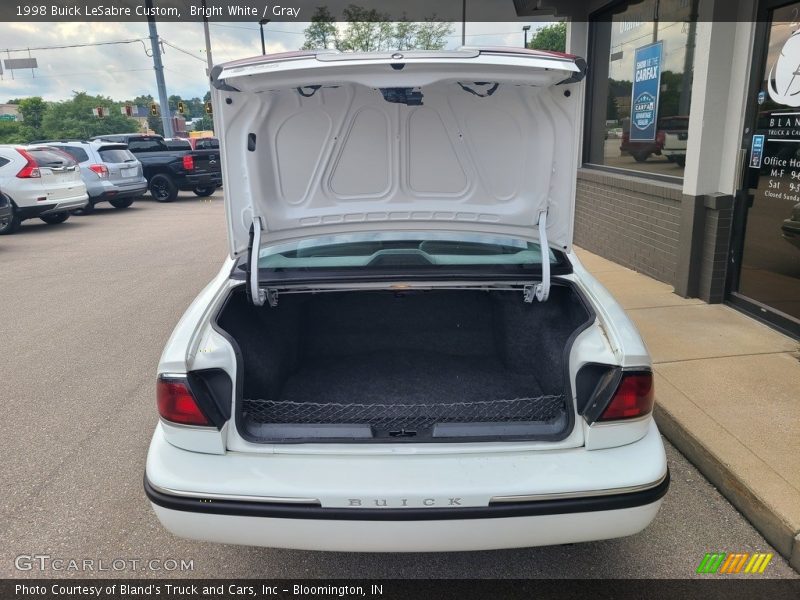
(727, 395)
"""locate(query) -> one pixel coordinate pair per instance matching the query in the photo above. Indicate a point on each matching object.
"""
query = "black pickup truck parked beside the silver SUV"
(168, 171)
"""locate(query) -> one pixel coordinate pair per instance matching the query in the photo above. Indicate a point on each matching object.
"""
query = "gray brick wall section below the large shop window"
(631, 221)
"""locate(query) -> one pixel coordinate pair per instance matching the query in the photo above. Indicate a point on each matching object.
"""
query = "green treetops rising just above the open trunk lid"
(367, 30)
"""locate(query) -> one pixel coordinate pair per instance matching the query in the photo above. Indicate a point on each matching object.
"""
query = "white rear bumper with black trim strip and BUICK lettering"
(488, 518)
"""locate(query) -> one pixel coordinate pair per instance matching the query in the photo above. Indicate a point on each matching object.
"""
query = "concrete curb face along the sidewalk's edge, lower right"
(739, 494)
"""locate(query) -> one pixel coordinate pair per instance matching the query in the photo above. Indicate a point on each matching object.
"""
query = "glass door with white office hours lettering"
(765, 275)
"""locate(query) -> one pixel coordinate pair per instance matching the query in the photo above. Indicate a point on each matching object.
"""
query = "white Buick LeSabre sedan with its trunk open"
(388, 361)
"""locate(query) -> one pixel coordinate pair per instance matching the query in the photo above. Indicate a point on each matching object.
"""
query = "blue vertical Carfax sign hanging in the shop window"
(646, 87)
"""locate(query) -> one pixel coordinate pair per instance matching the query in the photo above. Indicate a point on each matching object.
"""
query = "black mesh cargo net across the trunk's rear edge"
(389, 417)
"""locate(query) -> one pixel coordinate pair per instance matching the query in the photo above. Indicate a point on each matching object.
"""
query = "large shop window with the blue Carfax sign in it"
(641, 60)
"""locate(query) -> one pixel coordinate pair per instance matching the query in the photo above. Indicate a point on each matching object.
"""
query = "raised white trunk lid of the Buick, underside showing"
(477, 140)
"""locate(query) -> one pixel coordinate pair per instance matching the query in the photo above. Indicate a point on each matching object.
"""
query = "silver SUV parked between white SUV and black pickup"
(111, 173)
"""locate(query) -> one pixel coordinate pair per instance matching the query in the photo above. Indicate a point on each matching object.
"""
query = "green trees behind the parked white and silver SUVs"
(74, 118)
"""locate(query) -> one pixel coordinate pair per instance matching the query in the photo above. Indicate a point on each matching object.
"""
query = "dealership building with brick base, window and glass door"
(690, 171)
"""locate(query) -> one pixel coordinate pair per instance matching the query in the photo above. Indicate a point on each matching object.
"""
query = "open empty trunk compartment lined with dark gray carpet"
(411, 365)
